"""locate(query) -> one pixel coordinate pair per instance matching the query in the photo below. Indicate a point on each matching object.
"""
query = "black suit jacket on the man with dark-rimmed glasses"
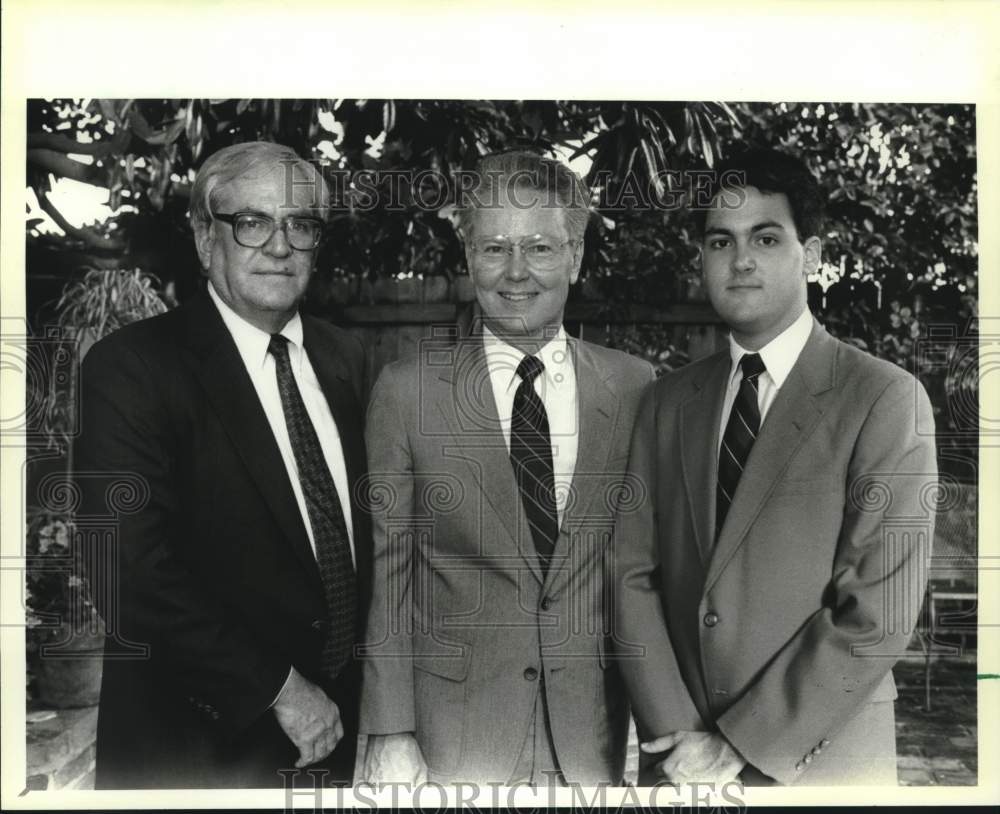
(207, 583)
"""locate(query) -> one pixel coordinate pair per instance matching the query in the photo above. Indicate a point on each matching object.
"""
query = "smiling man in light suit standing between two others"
(498, 460)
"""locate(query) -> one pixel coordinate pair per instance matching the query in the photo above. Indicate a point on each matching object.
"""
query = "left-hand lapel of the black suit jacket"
(233, 397)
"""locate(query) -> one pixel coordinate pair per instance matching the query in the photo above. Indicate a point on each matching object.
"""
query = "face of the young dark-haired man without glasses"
(755, 266)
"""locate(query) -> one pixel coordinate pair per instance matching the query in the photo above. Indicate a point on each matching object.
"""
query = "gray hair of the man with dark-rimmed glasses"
(246, 159)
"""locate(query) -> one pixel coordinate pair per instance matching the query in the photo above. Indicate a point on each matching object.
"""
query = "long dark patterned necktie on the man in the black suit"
(326, 516)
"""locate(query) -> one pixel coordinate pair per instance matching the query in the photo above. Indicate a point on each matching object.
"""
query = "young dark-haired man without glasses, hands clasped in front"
(777, 568)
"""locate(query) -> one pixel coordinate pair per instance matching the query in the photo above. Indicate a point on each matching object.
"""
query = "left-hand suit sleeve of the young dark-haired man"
(659, 697)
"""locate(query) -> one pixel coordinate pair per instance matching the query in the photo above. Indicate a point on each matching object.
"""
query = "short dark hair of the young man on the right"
(772, 171)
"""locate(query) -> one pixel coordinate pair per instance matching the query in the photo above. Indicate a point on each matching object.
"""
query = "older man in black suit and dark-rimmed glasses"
(241, 570)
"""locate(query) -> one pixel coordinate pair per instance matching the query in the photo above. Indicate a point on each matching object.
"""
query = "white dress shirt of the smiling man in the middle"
(556, 386)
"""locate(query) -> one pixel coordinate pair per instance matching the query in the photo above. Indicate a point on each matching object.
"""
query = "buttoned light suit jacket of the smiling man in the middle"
(463, 621)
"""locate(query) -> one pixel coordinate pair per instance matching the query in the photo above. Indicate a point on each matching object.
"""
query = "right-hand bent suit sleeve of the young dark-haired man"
(837, 659)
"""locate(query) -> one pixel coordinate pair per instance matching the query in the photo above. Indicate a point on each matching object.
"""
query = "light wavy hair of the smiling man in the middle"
(522, 169)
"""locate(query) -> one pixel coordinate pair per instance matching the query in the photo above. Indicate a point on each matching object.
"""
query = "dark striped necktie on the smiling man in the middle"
(531, 457)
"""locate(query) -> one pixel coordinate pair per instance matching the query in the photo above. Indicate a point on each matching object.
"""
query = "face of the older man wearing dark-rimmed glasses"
(262, 285)
